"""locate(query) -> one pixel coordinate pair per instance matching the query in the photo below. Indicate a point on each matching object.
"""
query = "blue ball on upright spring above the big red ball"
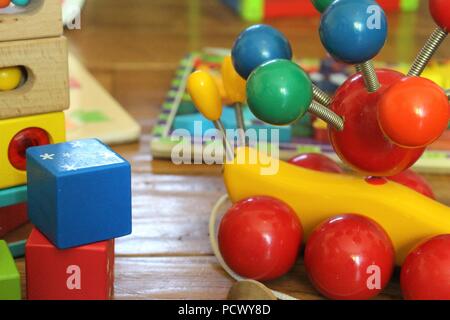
(353, 31)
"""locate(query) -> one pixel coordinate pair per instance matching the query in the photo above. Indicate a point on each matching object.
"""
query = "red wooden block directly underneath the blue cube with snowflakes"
(81, 273)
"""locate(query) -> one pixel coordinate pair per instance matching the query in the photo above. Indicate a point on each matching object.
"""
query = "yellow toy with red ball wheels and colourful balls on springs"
(380, 122)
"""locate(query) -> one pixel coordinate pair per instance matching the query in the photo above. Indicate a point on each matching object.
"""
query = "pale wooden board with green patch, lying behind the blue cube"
(93, 113)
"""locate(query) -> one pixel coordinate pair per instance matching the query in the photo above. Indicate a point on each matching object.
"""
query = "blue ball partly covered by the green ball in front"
(257, 45)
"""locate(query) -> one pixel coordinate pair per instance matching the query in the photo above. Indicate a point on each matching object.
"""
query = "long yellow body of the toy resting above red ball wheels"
(407, 216)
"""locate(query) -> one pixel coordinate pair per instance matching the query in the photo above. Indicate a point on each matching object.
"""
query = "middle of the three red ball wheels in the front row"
(349, 257)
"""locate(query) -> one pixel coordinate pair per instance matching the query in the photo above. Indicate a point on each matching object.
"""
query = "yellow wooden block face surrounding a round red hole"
(51, 123)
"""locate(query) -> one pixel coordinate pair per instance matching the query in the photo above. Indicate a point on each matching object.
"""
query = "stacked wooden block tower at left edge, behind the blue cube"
(33, 93)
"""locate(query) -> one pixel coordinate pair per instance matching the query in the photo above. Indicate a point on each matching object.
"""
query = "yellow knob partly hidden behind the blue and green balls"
(235, 86)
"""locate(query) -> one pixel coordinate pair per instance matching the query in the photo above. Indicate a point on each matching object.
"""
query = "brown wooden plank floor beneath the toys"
(132, 48)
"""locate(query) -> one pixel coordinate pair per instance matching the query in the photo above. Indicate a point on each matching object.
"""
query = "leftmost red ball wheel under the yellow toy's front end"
(260, 238)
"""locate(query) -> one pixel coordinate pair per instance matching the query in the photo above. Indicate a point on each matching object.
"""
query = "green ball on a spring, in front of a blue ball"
(279, 92)
